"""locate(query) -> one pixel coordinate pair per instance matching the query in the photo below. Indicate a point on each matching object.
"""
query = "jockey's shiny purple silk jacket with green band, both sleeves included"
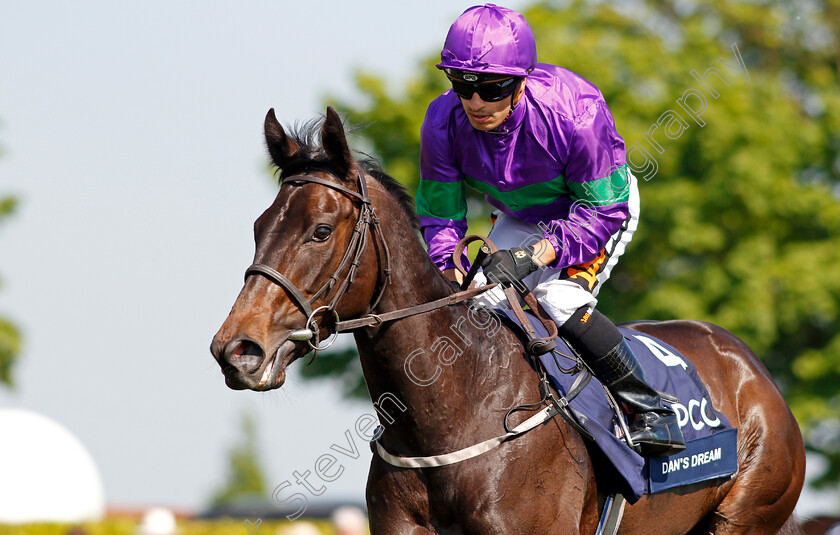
(557, 161)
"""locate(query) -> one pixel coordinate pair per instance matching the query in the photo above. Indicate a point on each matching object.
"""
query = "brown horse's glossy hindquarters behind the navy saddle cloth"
(771, 454)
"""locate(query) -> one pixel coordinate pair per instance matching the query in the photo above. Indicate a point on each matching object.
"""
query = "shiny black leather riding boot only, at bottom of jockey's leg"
(653, 426)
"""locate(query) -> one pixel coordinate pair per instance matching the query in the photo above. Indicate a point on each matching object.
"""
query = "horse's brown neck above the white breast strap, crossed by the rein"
(445, 370)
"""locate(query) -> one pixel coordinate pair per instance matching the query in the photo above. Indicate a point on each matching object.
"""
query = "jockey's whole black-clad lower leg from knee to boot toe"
(653, 426)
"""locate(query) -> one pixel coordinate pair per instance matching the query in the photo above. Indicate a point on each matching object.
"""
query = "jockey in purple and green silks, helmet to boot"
(541, 143)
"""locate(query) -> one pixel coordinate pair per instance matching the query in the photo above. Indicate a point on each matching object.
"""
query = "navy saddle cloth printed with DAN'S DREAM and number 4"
(710, 439)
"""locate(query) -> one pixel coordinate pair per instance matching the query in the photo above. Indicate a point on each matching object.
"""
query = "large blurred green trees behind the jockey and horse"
(740, 221)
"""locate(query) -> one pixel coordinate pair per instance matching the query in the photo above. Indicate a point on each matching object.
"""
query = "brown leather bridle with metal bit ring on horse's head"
(368, 221)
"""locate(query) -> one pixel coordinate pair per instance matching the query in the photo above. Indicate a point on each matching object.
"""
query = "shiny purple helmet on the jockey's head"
(490, 39)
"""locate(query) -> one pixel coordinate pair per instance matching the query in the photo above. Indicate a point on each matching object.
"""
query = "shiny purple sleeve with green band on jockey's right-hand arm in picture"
(596, 155)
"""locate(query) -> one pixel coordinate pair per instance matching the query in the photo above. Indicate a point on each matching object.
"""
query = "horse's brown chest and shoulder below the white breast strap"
(542, 483)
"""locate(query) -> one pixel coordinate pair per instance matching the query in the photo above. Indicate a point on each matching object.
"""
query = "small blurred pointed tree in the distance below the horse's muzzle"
(245, 474)
